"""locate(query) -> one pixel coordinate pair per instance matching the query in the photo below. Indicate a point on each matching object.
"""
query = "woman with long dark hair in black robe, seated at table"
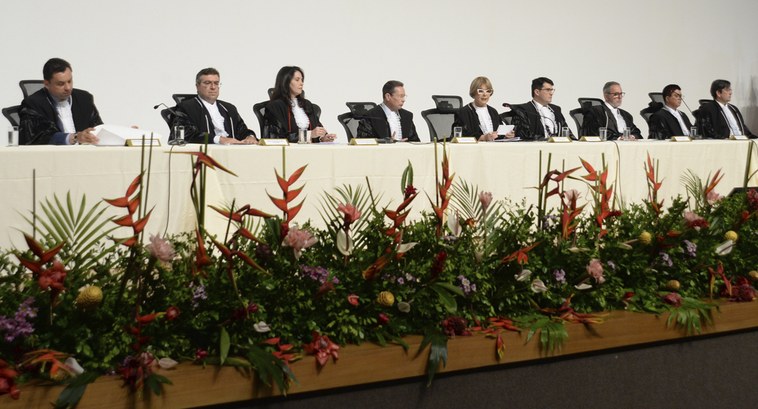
(288, 111)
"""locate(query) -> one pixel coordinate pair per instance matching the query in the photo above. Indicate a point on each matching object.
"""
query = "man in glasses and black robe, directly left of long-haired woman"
(206, 114)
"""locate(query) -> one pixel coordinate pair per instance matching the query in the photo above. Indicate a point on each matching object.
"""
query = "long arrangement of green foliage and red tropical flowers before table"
(79, 302)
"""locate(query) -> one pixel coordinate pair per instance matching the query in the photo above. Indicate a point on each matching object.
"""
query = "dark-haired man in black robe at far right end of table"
(719, 119)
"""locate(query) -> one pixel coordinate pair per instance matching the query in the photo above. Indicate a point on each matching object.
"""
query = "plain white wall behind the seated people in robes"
(134, 54)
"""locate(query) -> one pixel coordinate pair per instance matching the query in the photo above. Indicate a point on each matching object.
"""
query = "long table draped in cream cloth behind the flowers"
(508, 170)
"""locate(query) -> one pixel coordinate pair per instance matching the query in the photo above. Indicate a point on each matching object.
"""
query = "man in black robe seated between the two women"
(389, 121)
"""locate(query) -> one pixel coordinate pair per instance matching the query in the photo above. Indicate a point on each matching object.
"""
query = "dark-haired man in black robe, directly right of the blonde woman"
(539, 118)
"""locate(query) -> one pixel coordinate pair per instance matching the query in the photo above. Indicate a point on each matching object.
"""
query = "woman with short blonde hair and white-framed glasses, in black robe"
(477, 118)
